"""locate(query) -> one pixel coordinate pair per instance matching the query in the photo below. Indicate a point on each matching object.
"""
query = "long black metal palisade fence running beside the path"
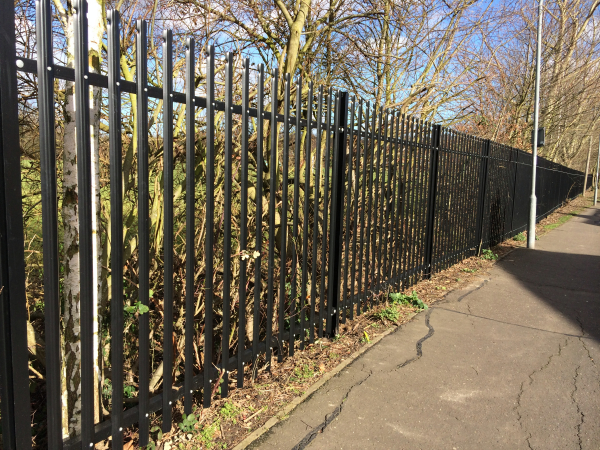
(314, 206)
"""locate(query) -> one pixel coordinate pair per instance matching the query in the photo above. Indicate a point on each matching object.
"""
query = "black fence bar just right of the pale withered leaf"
(258, 199)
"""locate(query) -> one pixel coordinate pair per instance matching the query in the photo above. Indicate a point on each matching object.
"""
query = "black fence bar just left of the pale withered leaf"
(243, 224)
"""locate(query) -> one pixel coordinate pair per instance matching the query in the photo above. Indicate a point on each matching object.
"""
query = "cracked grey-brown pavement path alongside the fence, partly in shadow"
(512, 362)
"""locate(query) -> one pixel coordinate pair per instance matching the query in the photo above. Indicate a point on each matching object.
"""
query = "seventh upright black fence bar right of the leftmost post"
(209, 220)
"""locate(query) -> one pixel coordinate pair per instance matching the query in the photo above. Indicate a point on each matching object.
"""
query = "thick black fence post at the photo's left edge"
(14, 371)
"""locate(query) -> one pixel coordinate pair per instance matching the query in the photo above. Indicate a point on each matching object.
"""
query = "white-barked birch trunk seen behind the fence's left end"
(72, 350)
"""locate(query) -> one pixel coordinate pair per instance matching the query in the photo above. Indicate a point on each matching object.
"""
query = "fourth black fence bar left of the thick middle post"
(294, 312)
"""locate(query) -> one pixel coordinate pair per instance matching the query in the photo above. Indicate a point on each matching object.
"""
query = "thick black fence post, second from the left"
(337, 211)
